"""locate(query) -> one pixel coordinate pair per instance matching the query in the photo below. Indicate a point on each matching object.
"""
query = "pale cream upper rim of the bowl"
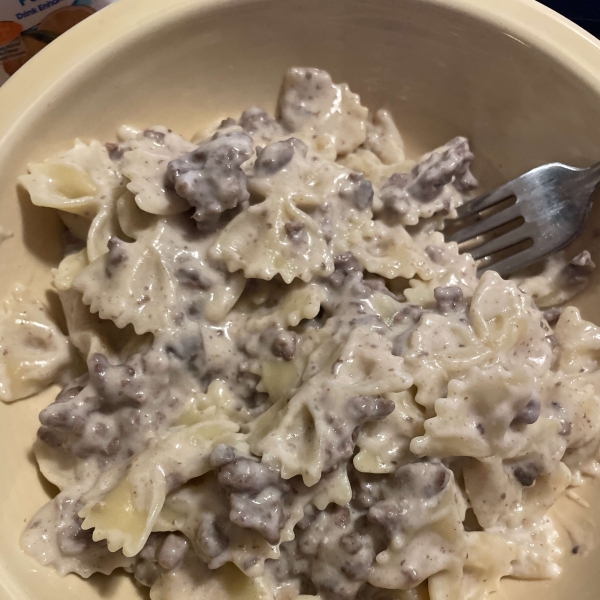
(40, 81)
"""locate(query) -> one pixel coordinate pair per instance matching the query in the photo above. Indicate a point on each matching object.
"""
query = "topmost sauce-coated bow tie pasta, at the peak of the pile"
(328, 116)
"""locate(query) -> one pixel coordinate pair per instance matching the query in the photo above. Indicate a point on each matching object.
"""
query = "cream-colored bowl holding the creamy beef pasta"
(522, 83)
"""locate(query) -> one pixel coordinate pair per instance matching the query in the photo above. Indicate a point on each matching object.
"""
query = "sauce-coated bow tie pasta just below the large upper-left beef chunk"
(155, 283)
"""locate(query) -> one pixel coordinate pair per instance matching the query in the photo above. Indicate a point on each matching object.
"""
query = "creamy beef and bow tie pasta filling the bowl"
(278, 373)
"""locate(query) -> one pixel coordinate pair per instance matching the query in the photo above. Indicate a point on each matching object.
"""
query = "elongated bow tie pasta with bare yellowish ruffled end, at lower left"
(124, 507)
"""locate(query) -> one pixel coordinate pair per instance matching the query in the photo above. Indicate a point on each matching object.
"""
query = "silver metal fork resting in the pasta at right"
(554, 202)
